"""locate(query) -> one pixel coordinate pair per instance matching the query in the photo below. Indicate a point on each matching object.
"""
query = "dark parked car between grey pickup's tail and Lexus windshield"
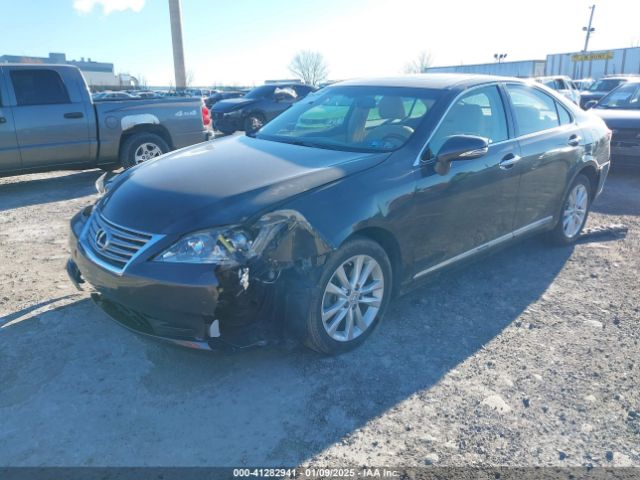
(259, 106)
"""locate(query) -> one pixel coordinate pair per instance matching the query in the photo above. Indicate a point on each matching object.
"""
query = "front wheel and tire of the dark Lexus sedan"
(362, 311)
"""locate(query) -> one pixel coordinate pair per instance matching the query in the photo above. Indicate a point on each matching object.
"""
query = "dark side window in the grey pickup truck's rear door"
(38, 87)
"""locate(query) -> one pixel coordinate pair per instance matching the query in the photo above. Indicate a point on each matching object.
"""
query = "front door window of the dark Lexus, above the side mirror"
(479, 112)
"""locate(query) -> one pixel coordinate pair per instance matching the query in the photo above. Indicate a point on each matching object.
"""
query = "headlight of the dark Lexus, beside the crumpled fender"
(224, 247)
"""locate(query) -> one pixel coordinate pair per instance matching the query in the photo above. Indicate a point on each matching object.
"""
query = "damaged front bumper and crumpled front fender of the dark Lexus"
(212, 307)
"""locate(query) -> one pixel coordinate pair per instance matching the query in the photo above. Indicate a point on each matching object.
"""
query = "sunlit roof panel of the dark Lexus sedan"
(429, 80)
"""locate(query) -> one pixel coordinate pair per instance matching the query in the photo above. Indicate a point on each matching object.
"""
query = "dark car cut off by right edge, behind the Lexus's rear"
(620, 109)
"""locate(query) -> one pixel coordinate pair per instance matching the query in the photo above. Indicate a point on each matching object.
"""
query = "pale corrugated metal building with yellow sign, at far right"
(595, 64)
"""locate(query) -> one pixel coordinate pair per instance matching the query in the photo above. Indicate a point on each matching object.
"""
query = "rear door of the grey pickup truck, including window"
(50, 119)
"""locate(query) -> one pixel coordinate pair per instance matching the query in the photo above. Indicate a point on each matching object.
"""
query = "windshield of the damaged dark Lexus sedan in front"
(368, 119)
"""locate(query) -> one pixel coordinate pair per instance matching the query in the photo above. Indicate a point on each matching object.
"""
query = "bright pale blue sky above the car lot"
(248, 41)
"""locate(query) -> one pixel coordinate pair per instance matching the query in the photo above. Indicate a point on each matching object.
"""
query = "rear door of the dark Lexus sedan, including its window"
(550, 144)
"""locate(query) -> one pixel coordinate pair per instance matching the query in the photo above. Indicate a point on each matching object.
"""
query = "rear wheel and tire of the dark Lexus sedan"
(578, 201)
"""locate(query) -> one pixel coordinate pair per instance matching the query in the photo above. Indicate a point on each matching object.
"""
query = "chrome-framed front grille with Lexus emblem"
(114, 244)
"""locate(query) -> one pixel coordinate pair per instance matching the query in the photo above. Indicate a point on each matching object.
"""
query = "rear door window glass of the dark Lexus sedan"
(534, 110)
